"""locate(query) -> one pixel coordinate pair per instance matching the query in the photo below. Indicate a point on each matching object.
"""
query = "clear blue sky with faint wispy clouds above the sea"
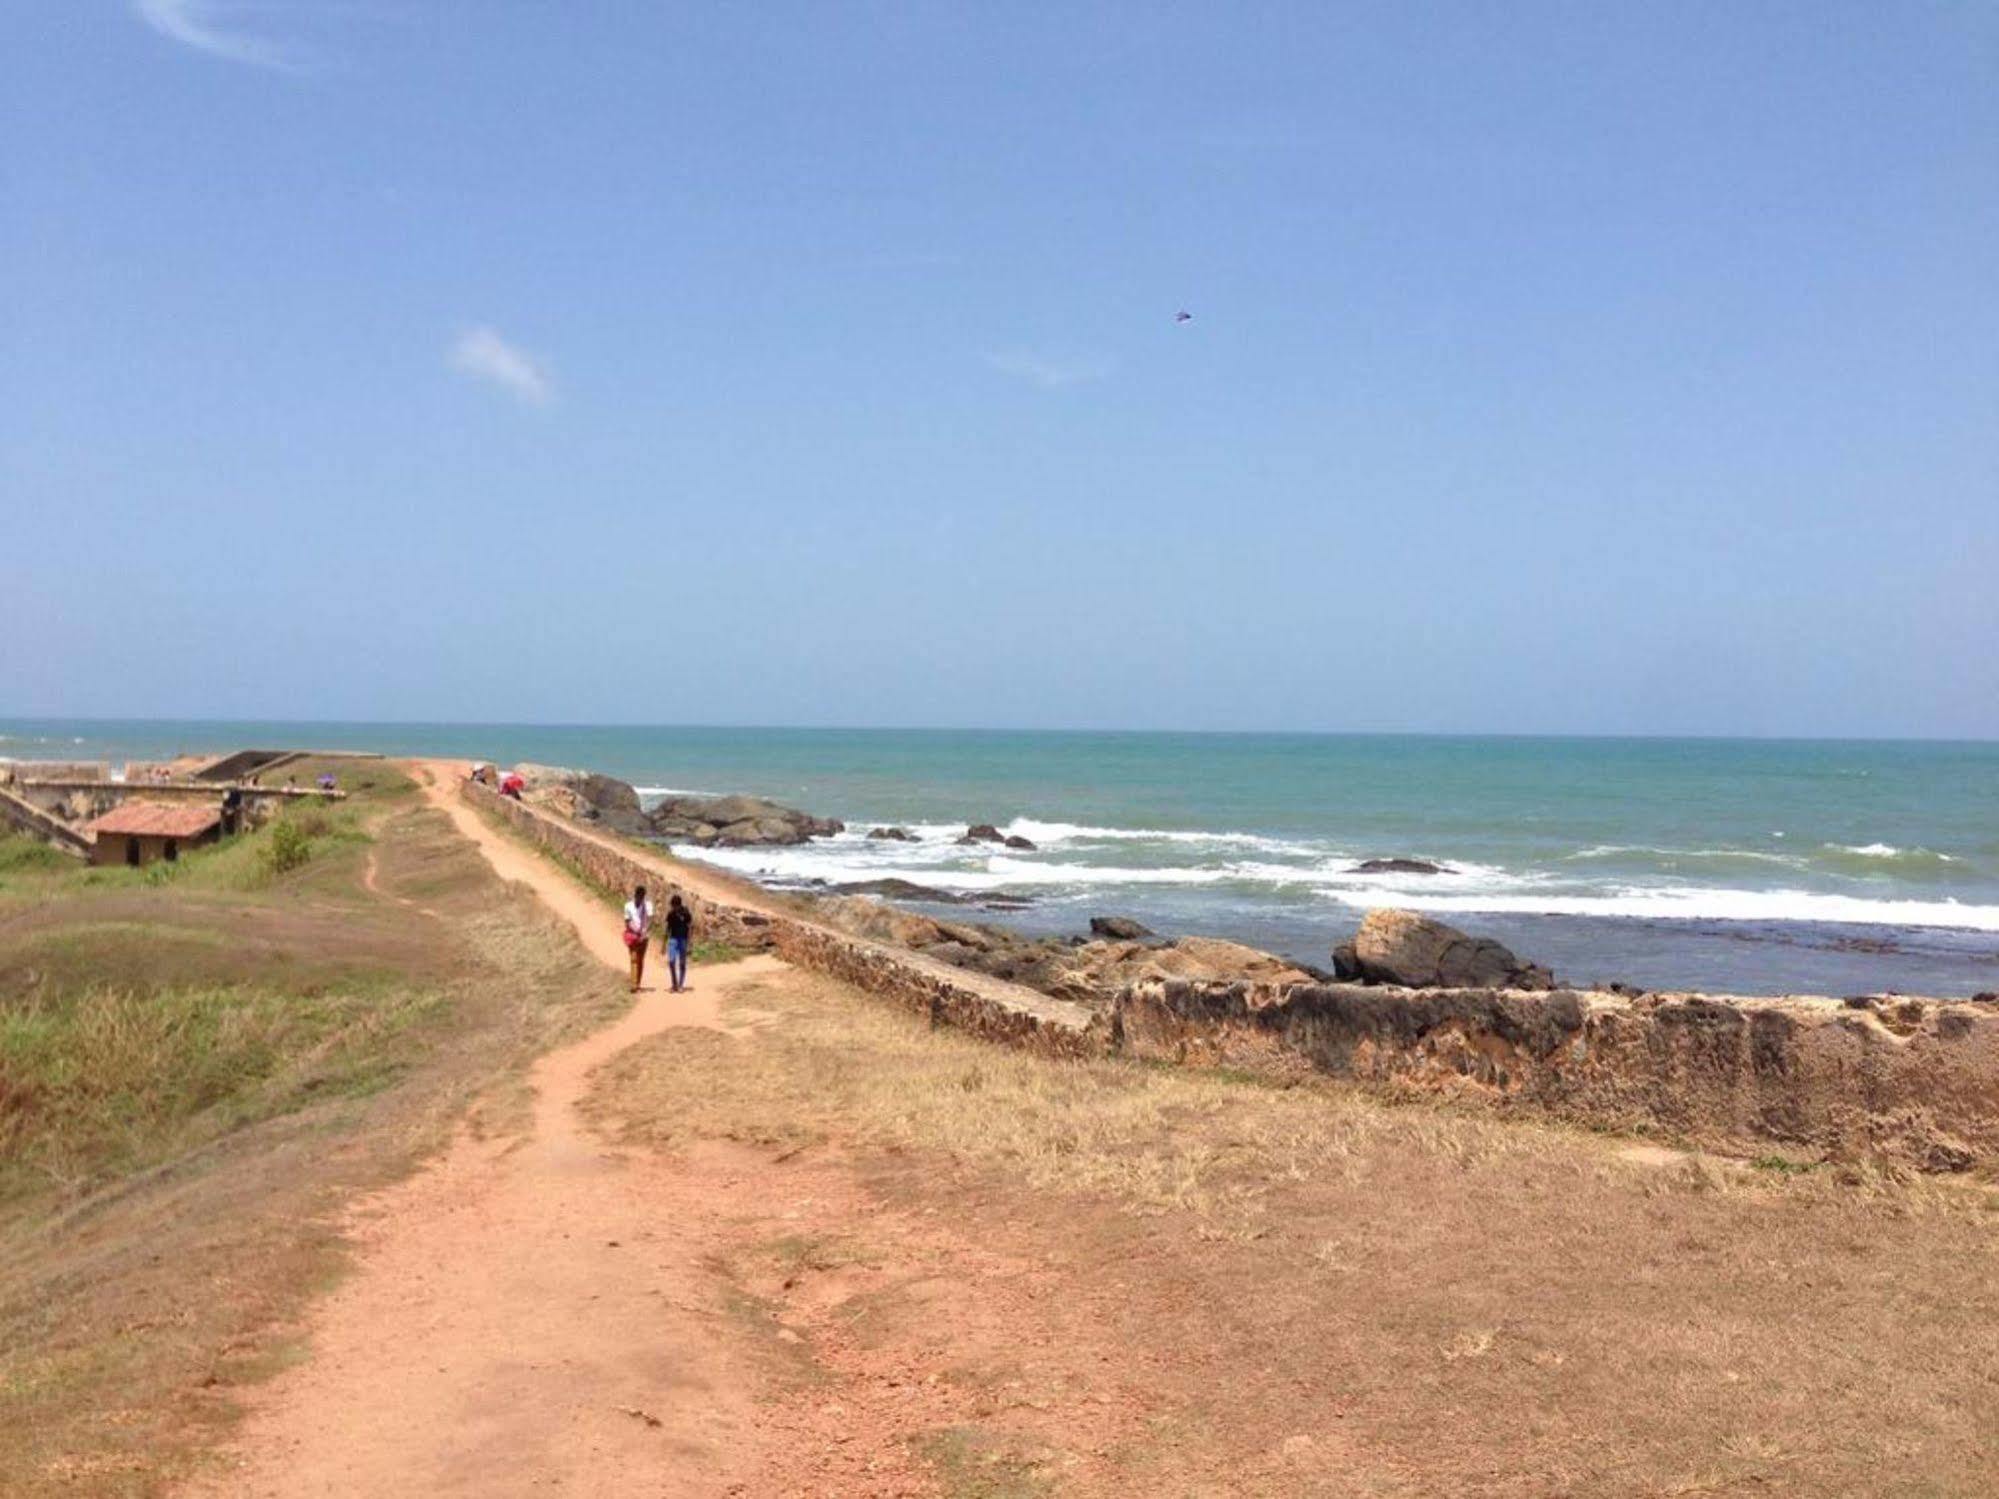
(1620, 369)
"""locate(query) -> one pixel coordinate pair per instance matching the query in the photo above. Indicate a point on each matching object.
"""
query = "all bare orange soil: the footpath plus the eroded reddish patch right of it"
(559, 1316)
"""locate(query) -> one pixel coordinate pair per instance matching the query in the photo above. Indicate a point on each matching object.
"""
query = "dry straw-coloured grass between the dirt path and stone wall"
(1472, 1306)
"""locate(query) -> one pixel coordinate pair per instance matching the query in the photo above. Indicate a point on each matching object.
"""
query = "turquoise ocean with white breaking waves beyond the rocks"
(1750, 866)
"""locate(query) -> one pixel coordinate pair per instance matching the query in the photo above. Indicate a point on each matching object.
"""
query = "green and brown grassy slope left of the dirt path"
(199, 1066)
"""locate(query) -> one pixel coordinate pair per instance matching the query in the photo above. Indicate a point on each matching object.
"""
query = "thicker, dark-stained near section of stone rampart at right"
(1916, 1080)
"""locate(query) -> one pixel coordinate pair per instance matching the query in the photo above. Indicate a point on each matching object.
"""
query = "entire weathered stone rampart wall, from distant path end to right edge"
(1908, 1080)
